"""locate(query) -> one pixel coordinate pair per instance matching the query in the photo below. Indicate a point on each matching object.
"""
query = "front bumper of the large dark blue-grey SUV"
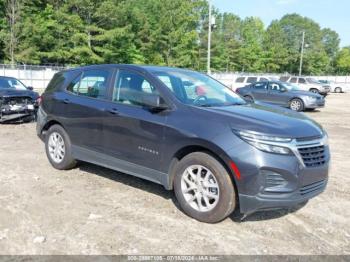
(272, 181)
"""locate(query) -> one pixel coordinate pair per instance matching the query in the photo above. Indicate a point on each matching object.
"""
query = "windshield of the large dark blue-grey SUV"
(193, 88)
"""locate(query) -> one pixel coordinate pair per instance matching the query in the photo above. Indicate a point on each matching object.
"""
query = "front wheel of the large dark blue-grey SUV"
(221, 186)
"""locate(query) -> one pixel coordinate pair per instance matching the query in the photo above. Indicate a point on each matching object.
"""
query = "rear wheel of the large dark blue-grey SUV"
(64, 161)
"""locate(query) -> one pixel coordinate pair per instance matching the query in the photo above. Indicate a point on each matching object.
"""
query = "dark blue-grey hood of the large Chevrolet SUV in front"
(270, 120)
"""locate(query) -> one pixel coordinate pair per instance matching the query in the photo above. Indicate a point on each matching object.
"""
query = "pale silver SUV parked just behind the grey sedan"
(307, 84)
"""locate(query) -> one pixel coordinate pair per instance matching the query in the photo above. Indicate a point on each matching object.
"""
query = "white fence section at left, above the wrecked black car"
(36, 76)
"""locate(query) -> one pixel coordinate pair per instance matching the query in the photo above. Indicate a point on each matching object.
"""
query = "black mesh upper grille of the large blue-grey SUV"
(313, 156)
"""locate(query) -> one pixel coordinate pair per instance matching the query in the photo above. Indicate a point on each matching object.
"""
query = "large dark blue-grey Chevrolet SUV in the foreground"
(187, 132)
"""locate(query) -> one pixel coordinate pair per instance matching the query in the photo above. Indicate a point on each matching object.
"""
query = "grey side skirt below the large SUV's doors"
(123, 166)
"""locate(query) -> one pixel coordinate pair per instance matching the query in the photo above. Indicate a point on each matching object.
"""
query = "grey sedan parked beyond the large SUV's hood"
(282, 94)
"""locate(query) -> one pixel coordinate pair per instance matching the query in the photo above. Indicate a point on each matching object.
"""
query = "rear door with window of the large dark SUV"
(84, 102)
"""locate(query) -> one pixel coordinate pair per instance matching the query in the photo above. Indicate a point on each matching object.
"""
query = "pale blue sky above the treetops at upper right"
(334, 14)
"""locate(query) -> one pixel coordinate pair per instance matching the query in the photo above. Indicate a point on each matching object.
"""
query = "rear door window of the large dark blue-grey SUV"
(92, 83)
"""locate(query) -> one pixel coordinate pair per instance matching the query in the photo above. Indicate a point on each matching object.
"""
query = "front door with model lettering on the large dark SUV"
(132, 132)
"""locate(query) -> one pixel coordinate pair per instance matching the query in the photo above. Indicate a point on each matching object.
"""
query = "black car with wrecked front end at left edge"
(18, 103)
